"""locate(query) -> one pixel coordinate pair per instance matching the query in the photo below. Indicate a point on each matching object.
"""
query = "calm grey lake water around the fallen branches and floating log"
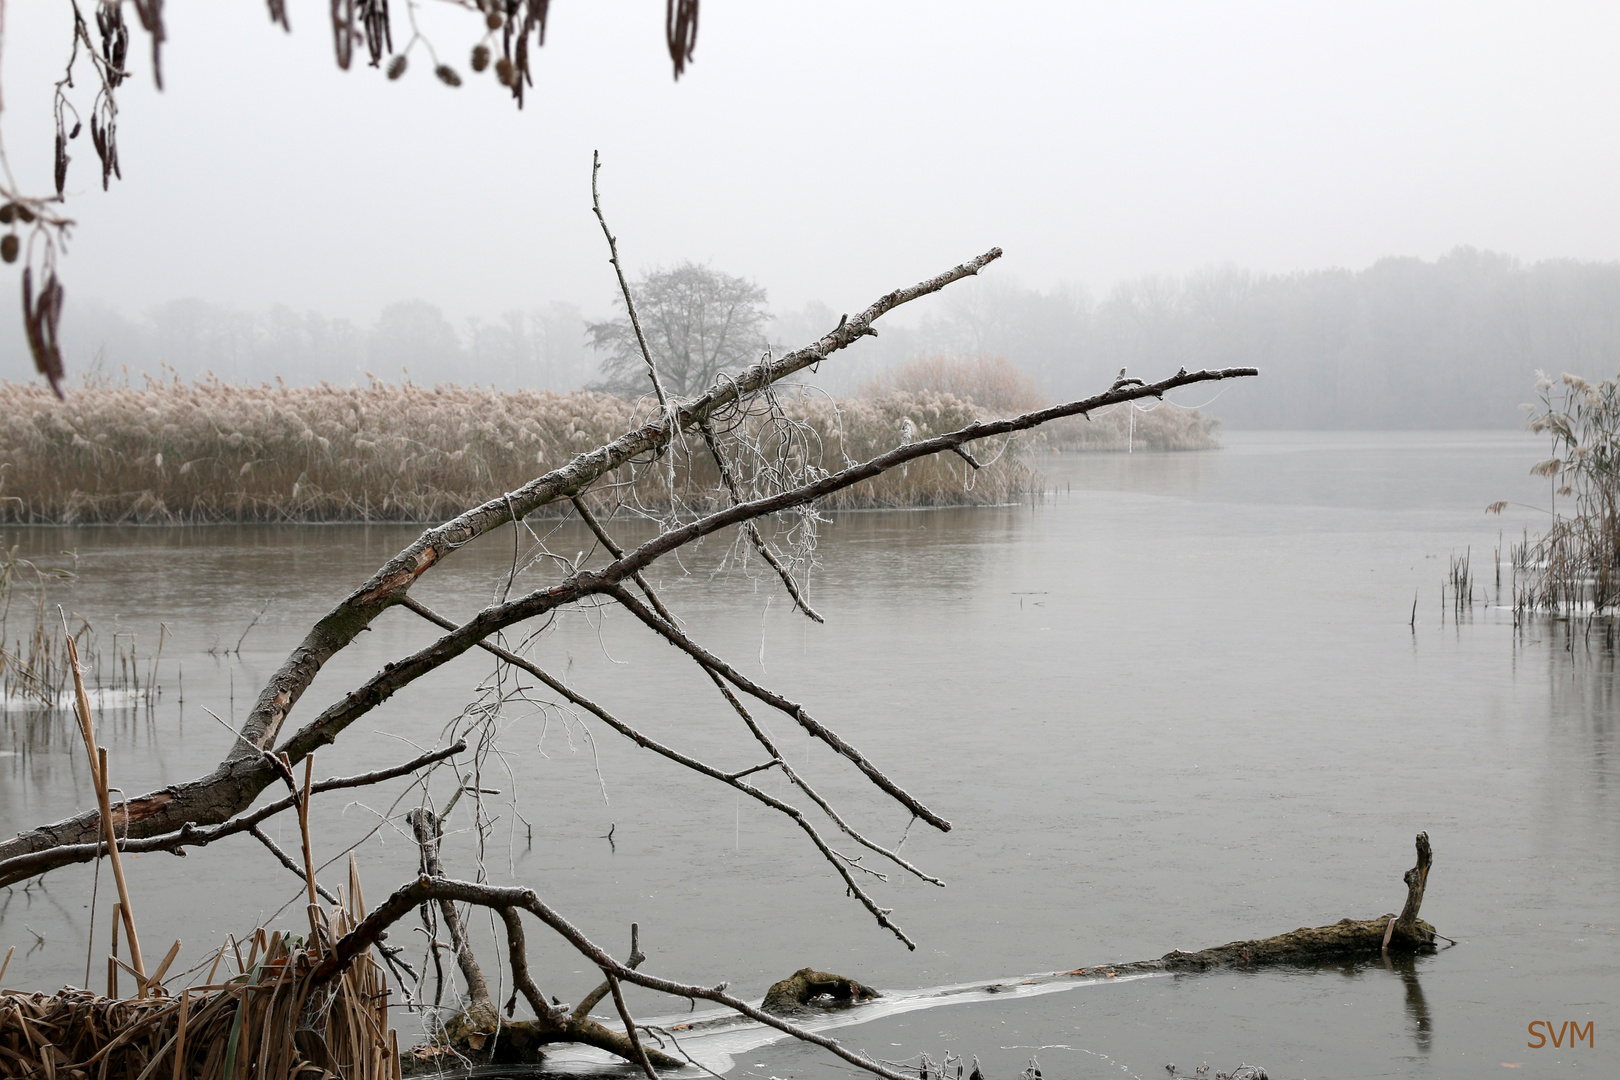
(1175, 704)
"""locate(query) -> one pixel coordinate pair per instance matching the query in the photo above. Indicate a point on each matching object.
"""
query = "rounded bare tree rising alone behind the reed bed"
(699, 325)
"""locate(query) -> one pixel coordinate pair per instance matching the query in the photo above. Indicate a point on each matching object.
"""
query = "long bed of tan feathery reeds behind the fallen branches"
(174, 453)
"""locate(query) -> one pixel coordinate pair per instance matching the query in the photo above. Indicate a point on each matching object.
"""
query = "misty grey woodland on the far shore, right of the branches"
(1404, 344)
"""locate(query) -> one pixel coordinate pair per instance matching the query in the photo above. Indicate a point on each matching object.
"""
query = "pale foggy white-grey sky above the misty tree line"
(832, 150)
